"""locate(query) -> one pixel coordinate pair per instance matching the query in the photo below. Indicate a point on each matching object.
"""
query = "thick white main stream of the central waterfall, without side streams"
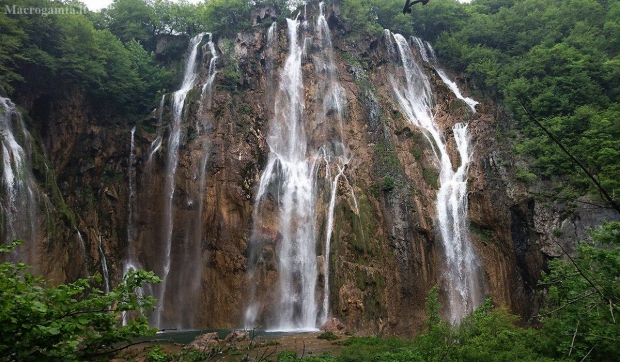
(289, 167)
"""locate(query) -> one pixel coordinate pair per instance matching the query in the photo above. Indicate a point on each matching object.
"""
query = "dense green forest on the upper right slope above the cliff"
(561, 57)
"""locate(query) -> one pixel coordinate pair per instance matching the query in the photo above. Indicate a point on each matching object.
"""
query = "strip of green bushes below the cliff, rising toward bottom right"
(578, 321)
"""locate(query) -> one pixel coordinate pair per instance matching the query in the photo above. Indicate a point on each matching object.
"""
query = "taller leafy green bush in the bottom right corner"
(580, 311)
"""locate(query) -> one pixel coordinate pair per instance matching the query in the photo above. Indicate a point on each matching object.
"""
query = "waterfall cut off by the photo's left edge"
(19, 197)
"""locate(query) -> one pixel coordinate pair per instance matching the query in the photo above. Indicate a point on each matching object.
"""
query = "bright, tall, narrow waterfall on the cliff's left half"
(172, 160)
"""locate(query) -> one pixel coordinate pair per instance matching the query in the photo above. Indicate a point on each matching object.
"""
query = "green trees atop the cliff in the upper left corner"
(76, 51)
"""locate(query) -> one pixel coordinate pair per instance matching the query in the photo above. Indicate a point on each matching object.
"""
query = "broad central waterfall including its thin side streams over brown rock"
(301, 143)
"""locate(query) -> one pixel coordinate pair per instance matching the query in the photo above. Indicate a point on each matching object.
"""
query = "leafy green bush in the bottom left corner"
(69, 322)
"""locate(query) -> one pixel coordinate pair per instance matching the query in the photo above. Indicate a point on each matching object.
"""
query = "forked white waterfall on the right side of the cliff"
(462, 274)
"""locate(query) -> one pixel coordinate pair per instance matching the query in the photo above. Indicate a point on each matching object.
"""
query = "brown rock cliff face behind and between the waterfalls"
(114, 200)
